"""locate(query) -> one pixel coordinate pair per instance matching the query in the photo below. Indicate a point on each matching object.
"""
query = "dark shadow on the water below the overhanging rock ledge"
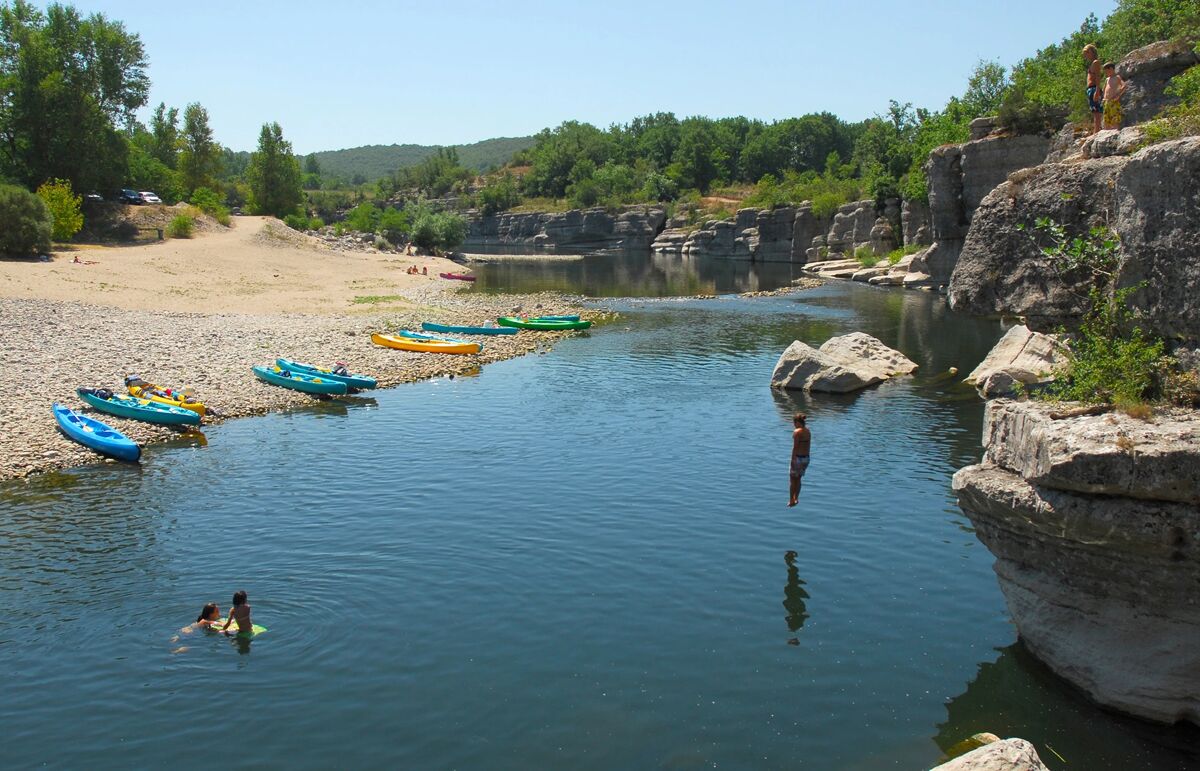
(1017, 696)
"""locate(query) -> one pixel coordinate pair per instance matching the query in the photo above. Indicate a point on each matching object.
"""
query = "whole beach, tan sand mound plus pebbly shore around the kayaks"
(201, 313)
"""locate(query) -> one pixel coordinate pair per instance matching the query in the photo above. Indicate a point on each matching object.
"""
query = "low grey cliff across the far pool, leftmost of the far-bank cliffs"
(633, 229)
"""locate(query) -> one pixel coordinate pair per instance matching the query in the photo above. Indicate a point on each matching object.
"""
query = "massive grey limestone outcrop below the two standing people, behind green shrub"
(1151, 200)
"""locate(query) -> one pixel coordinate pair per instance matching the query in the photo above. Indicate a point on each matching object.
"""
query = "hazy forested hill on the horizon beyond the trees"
(380, 160)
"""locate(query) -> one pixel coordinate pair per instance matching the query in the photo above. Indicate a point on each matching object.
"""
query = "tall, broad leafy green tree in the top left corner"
(67, 82)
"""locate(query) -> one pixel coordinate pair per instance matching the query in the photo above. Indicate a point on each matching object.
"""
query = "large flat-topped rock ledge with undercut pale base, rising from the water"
(1095, 527)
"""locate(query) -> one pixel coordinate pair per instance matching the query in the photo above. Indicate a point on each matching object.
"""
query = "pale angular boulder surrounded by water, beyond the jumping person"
(841, 366)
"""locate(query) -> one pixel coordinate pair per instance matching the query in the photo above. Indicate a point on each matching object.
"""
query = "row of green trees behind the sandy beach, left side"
(70, 89)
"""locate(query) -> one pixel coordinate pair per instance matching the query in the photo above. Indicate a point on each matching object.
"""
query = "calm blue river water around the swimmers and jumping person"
(574, 560)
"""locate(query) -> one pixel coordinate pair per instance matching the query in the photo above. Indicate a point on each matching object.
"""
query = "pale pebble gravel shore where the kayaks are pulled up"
(51, 348)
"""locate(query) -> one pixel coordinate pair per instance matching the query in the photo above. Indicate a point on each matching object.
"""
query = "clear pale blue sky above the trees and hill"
(358, 73)
